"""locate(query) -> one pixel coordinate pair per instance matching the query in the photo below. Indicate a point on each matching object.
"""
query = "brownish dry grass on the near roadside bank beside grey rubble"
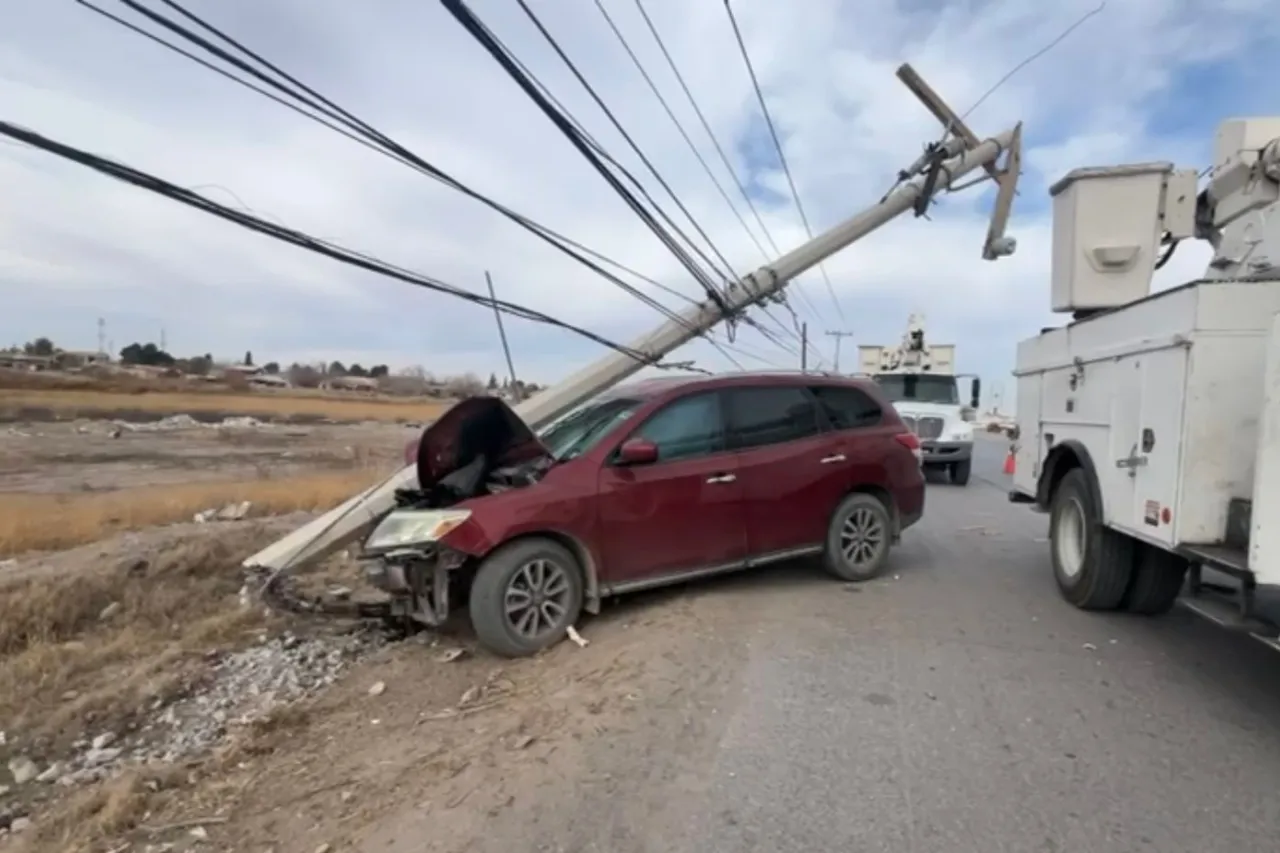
(66, 670)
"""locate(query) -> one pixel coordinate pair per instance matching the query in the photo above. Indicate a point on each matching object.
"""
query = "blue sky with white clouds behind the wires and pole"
(1142, 80)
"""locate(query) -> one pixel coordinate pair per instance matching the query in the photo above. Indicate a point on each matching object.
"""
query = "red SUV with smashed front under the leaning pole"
(650, 485)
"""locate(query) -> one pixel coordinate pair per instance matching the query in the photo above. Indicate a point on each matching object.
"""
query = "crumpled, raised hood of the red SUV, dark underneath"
(474, 427)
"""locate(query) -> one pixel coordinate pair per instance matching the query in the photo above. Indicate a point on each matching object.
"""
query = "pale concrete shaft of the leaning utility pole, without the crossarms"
(332, 531)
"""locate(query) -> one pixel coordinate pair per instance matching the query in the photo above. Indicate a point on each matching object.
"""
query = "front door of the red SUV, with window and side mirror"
(683, 513)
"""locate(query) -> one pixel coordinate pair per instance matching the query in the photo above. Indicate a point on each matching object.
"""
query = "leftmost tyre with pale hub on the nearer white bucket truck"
(1091, 563)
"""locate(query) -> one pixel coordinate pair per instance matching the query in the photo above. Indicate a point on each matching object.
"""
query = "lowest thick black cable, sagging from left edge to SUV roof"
(295, 238)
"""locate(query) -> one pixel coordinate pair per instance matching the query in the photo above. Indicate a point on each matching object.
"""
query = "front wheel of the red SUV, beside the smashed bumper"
(540, 572)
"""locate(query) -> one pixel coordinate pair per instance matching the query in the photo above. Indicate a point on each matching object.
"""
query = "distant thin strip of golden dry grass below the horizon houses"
(84, 400)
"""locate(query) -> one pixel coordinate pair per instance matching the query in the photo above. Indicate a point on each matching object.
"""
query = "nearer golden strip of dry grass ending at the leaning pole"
(57, 522)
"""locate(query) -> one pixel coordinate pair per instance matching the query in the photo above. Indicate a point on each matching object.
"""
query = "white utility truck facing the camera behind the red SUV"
(922, 382)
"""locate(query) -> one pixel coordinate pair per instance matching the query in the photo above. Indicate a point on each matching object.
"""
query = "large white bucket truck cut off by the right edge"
(1151, 423)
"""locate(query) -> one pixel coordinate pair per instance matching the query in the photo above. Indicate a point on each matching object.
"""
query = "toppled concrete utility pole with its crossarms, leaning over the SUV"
(939, 168)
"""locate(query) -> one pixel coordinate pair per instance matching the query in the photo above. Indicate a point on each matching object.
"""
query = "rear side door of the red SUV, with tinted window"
(793, 473)
